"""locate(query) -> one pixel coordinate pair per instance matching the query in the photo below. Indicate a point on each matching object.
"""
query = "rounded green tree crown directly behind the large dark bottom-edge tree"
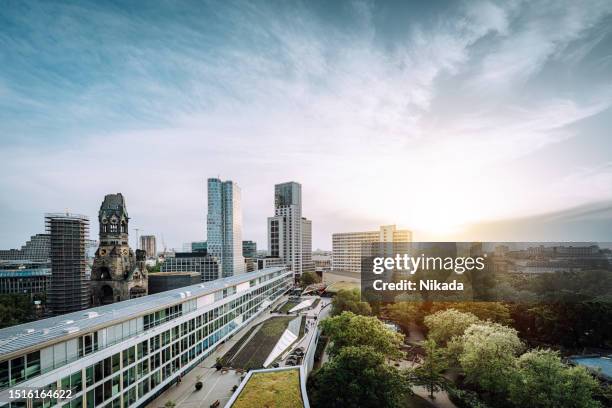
(350, 329)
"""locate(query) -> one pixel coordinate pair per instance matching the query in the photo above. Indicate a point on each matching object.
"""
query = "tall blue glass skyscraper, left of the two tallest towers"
(224, 225)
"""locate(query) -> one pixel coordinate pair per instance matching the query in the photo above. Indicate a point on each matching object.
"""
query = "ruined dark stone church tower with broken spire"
(117, 273)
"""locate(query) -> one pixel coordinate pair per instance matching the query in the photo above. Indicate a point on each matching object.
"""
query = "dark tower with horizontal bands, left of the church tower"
(69, 287)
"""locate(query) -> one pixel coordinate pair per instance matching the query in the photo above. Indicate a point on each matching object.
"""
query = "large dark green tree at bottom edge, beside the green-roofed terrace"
(358, 377)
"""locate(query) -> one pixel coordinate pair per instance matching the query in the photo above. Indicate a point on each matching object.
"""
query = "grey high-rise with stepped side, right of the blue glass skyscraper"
(285, 228)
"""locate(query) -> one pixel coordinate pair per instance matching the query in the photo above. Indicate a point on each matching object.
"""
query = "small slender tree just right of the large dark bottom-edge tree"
(429, 373)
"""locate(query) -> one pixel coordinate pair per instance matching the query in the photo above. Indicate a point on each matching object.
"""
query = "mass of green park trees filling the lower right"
(477, 352)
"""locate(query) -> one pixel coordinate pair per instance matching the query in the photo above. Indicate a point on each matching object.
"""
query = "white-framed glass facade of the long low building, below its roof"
(174, 339)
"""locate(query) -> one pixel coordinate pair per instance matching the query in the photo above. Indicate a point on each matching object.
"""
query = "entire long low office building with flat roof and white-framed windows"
(127, 353)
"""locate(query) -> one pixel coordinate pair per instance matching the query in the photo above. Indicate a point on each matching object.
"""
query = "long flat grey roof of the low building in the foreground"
(21, 337)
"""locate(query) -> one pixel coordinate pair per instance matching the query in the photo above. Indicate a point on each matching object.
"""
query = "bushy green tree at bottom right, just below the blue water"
(541, 380)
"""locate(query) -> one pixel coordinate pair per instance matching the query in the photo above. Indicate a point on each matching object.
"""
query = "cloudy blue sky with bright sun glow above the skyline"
(458, 120)
